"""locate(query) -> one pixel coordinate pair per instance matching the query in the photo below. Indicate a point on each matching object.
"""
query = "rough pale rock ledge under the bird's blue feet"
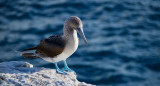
(19, 73)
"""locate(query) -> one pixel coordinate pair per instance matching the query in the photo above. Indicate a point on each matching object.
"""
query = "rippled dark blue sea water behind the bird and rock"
(123, 37)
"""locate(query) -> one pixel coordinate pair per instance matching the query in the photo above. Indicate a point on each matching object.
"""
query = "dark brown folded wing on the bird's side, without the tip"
(51, 46)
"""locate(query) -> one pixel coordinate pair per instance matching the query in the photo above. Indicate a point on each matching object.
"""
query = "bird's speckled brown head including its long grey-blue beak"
(75, 23)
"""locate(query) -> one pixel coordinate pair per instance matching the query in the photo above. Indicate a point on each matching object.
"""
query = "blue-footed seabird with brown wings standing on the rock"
(58, 48)
